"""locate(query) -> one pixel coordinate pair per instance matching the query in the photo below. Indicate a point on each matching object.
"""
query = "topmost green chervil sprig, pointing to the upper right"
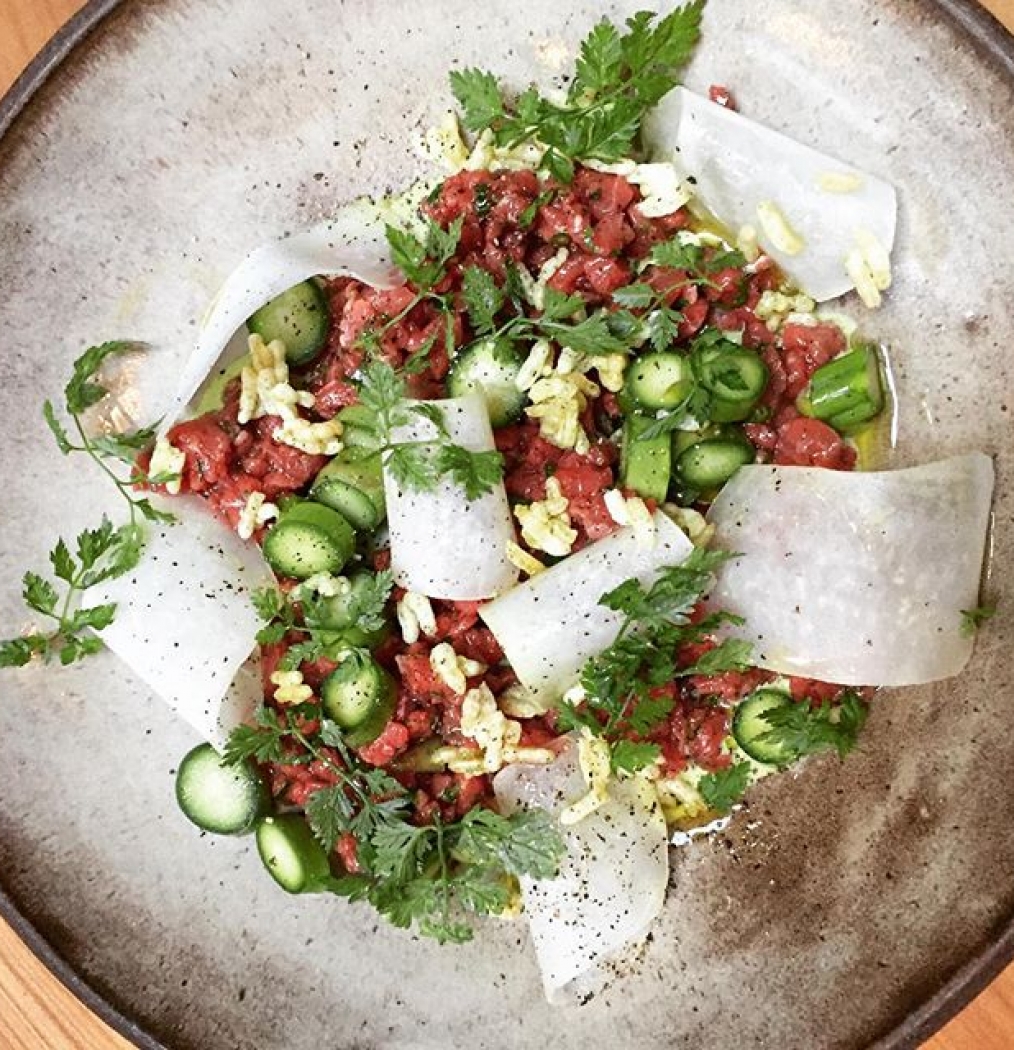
(620, 77)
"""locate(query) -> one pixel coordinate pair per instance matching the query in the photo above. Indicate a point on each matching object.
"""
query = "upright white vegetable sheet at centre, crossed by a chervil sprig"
(443, 544)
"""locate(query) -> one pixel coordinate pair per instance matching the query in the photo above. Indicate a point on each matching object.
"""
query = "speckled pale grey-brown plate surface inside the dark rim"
(853, 904)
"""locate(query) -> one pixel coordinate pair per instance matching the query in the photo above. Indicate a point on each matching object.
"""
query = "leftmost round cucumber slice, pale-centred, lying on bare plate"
(220, 799)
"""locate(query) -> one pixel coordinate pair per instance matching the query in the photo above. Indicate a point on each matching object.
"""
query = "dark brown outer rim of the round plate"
(991, 40)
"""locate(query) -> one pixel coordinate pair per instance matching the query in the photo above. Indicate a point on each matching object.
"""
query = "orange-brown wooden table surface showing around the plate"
(36, 1012)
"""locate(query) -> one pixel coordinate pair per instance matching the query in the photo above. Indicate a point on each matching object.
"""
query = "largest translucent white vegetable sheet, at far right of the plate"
(858, 579)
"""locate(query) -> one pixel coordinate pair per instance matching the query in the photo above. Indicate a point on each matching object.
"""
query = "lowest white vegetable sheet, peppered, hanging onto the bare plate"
(612, 885)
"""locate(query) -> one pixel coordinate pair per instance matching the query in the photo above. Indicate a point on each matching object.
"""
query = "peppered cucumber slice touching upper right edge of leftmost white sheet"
(309, 539)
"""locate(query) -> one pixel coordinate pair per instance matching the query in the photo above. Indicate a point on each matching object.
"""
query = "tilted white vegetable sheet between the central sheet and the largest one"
(552, 625)
